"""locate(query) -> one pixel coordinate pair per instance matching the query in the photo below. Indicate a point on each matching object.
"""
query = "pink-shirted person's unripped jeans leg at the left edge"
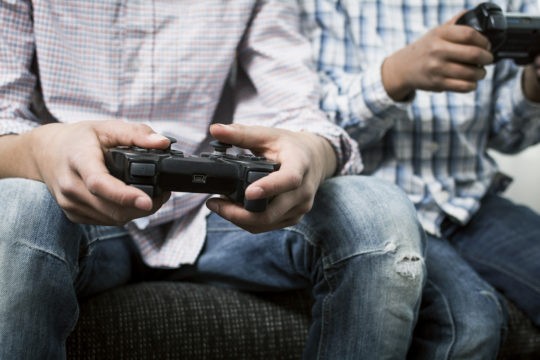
(46, 263)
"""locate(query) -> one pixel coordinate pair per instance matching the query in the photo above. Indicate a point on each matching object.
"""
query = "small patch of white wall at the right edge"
(525, 169)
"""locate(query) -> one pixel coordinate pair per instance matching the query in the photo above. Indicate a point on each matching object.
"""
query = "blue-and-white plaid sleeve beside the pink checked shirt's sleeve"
(353, 94)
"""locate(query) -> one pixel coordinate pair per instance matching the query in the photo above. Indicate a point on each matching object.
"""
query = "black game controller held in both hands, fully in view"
(217, 172)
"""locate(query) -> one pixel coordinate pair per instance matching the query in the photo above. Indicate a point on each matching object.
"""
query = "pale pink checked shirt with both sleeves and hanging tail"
(163, 64)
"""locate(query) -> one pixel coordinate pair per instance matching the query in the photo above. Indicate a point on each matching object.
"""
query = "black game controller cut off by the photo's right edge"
(512, 35)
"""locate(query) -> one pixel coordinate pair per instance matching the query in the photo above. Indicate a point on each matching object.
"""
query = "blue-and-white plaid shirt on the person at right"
(433, 147)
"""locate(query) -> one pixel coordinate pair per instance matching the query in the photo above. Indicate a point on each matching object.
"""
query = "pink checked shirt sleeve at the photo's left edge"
(16, 79)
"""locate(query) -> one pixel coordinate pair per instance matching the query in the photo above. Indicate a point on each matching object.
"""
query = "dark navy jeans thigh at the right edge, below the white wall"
(502, 242)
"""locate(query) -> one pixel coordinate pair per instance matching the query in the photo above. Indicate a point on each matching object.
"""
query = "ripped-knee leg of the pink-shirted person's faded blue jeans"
(359, 251)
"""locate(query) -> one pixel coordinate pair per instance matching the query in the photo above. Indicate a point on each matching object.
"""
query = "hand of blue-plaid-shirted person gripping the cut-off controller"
(448, 58)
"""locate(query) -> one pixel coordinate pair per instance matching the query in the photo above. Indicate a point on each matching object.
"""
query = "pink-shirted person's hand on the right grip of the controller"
(306, 161)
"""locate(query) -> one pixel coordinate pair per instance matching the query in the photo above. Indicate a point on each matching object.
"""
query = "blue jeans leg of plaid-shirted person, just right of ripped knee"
(461, 315)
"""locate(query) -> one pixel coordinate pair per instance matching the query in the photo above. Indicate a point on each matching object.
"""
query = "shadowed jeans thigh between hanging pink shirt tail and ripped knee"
(232, 257)
